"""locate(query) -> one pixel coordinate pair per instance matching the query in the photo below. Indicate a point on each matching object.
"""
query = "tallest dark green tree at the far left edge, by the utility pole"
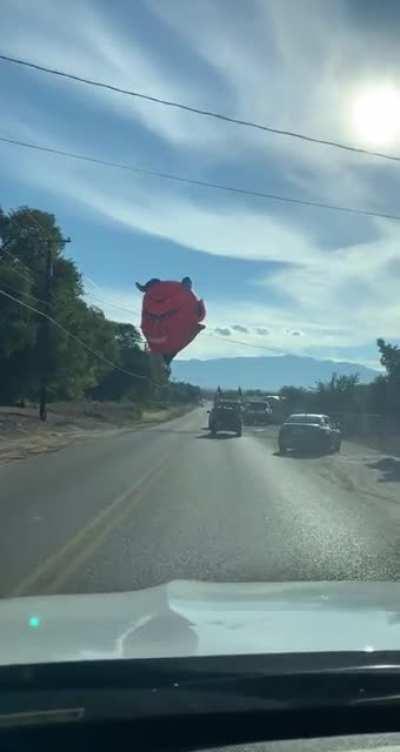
(29, 238)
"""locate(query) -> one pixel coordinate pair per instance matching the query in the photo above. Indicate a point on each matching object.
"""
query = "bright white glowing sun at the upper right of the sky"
(376, 115)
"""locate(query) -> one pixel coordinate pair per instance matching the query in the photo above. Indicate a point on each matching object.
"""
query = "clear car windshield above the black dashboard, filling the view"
(199, 255)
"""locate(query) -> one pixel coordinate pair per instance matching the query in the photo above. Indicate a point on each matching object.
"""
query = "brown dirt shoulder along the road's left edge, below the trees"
(23, 435)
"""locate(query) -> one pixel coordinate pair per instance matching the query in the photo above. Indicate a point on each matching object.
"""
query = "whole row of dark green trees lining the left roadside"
(48, 331)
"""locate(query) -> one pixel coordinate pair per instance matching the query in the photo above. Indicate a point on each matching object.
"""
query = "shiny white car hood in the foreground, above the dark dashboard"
(186, 618)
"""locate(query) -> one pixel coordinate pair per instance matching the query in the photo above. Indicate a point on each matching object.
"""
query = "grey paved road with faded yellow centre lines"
(137, 508)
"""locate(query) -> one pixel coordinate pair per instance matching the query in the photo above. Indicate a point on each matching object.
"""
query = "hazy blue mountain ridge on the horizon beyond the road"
(269, 373)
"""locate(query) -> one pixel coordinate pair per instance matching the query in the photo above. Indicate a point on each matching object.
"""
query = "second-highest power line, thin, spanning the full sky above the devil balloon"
(201, 183)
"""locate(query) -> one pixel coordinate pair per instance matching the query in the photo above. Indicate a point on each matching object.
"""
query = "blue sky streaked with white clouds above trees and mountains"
(294, 279)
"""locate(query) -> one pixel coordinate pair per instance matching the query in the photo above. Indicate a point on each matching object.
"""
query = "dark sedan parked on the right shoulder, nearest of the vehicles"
(307, 431)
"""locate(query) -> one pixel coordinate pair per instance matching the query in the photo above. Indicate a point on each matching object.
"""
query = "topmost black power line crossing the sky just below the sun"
(199, 111)
